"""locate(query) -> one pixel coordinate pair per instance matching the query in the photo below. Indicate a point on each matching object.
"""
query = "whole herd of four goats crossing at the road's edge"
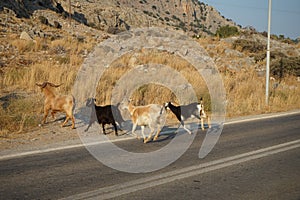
(152, 115)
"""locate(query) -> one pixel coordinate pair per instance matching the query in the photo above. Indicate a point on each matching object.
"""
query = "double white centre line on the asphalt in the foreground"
(167, 177)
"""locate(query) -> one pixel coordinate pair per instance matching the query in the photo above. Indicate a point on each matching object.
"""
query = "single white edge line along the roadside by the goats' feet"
(27, 153)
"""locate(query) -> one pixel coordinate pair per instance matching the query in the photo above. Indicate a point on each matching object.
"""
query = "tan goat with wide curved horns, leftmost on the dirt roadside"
(57, 103)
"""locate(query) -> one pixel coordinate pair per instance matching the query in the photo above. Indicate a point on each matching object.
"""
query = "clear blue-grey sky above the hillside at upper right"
(285, 14)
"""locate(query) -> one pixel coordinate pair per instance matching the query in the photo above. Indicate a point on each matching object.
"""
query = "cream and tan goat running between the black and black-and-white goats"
(152, 115)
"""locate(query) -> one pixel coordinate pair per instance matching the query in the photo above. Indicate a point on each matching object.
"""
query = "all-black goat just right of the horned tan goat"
(104, 115)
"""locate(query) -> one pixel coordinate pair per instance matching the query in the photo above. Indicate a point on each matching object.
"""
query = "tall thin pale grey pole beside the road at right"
(268, 54)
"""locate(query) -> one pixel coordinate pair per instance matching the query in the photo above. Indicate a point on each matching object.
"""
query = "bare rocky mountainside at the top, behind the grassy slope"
(113, 16)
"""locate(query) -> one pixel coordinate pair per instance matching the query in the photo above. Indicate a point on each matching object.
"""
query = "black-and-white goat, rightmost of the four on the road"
(184, 112)
